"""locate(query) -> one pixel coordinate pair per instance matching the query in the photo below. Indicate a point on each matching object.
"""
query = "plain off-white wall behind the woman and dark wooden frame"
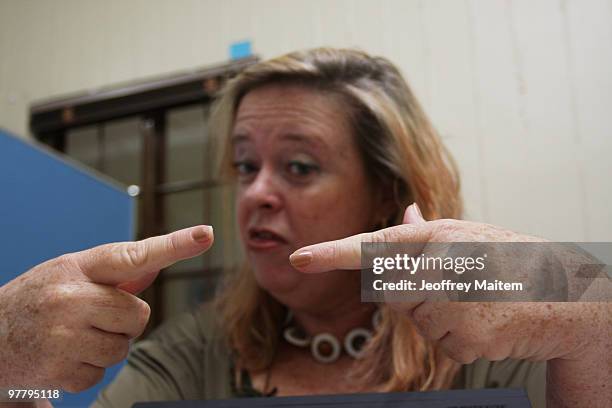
(520, 90)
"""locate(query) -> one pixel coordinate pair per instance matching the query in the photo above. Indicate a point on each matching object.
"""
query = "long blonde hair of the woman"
(401, 152)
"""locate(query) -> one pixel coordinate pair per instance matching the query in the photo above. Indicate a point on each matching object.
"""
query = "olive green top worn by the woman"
(186, 359)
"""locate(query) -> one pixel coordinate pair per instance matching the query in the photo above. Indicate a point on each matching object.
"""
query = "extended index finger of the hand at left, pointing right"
(134, 265)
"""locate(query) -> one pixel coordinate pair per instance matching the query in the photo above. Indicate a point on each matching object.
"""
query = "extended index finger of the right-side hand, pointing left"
(346, 253)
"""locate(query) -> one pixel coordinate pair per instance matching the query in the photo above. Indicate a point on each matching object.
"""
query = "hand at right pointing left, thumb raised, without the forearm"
(470, 330)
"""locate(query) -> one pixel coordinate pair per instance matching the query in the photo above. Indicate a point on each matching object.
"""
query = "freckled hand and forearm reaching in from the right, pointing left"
(575, 338)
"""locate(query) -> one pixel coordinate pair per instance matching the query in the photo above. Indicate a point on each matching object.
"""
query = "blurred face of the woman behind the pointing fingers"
(301, 180)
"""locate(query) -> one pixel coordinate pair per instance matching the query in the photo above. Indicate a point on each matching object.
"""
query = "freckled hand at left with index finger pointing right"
(64, 321)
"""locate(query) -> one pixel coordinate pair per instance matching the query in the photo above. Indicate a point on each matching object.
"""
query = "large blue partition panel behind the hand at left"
(49, 207)
